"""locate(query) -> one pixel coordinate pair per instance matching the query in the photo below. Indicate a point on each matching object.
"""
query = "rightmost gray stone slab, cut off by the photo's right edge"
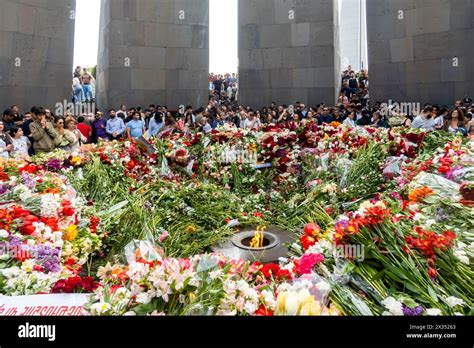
(413, 47)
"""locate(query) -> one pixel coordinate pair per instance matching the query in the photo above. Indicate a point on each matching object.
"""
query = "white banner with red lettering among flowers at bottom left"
(43, 305)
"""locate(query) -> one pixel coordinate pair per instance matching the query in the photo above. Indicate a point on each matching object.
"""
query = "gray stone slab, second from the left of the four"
(153, 51)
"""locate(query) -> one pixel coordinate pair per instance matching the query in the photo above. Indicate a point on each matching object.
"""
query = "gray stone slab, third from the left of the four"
(287, 56)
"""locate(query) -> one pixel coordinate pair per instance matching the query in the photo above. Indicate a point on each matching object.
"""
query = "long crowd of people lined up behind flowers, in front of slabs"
(39, 130)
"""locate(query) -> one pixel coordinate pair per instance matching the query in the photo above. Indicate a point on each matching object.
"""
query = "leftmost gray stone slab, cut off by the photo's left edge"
(36, 52)
